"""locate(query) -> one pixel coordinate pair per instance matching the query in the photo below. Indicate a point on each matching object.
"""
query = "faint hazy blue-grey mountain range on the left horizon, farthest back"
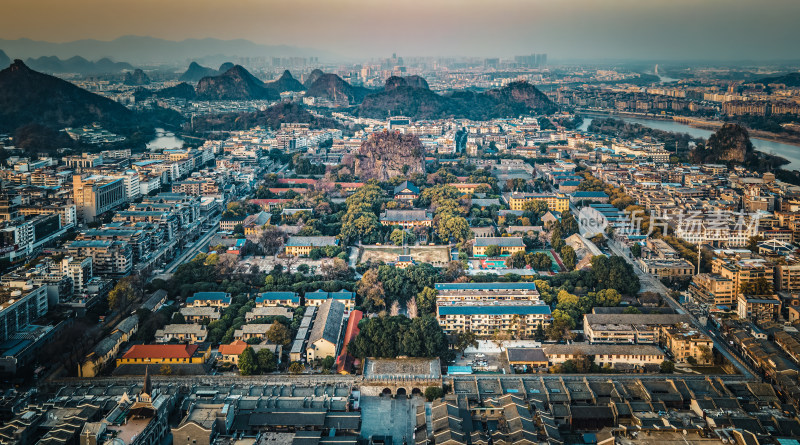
(140, 50)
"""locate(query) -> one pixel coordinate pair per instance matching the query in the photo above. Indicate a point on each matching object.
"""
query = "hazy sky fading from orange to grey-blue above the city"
(589, 29)
